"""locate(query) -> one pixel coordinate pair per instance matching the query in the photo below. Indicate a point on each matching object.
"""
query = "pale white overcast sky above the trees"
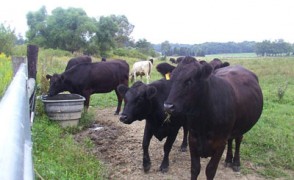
(177, 21)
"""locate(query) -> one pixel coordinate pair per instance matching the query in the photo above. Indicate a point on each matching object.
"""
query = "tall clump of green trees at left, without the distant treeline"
(72, 30)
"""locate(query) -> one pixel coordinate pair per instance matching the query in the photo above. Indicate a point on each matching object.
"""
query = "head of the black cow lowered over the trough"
(56, 84)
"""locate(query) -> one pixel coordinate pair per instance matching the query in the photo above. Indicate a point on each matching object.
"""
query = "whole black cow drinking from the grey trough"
(89, 78)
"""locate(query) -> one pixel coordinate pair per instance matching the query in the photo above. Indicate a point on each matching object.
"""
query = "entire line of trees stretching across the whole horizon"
(72, 30)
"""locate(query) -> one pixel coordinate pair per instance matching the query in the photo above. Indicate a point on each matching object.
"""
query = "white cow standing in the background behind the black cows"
(141, 68)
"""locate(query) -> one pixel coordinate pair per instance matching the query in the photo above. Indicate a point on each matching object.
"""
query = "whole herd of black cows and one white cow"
(215, 103)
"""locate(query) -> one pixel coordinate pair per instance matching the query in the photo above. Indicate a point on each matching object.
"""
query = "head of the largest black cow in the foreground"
(189, 83)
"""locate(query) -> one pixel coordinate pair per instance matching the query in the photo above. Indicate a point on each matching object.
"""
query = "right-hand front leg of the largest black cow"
(213, 163)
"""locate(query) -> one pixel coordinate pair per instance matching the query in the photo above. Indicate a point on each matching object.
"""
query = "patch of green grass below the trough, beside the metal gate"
(58, 156)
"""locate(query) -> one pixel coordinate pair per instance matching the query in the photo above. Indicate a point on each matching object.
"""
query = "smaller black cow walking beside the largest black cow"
(146, 102)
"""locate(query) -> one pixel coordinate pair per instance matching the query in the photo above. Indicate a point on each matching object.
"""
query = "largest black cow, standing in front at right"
(219, 106)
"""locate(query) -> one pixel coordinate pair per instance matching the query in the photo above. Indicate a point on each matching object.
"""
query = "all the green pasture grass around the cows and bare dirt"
(267, 149)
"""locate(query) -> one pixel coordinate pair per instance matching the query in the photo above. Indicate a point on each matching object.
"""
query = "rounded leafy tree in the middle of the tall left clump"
(69, 29)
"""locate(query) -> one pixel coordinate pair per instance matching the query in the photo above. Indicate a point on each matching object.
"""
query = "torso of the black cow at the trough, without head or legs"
(98, 77)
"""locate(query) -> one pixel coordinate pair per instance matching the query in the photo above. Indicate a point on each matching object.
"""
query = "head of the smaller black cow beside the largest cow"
(138, 101)
